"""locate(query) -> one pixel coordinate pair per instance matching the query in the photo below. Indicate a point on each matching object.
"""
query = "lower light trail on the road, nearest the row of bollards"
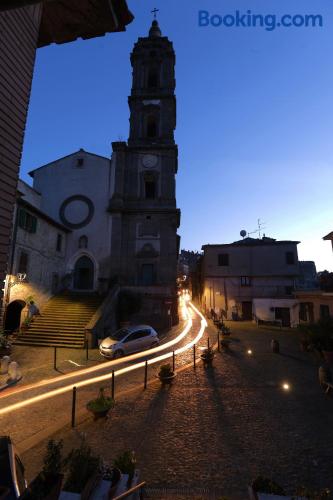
(121, 371)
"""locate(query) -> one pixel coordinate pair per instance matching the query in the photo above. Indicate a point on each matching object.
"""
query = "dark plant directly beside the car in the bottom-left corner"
(47, 485)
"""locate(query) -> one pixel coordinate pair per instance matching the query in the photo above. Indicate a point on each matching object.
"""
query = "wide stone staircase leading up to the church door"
(62, 321)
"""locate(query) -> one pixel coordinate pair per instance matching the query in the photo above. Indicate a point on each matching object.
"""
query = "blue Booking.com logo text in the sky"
(269, 21)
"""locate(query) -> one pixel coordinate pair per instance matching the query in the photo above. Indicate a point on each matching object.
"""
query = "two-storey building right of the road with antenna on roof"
(235, 276)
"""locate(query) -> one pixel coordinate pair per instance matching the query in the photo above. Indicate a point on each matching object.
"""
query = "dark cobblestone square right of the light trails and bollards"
(220, 427)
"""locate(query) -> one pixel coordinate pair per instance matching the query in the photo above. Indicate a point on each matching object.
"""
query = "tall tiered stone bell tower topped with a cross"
(145, 217)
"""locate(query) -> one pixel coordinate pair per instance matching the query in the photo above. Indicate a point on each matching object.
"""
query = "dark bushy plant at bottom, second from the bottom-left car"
(83, 474)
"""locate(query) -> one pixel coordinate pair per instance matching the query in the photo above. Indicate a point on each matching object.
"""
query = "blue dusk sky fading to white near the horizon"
(254, 117)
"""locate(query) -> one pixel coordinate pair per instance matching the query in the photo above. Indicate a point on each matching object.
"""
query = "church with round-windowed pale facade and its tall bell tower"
(120, 213)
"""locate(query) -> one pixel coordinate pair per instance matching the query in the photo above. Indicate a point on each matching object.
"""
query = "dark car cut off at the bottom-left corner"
(12, 480)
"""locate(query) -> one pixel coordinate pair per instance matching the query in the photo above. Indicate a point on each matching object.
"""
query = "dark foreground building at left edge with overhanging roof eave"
(26, 25)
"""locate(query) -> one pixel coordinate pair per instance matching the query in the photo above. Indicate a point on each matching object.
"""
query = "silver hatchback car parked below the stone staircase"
(129, 340)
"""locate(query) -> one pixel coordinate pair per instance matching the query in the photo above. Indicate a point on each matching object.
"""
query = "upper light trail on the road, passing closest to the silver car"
(186, 316)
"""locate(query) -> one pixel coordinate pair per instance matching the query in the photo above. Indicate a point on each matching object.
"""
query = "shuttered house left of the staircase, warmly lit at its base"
(39, 256)
